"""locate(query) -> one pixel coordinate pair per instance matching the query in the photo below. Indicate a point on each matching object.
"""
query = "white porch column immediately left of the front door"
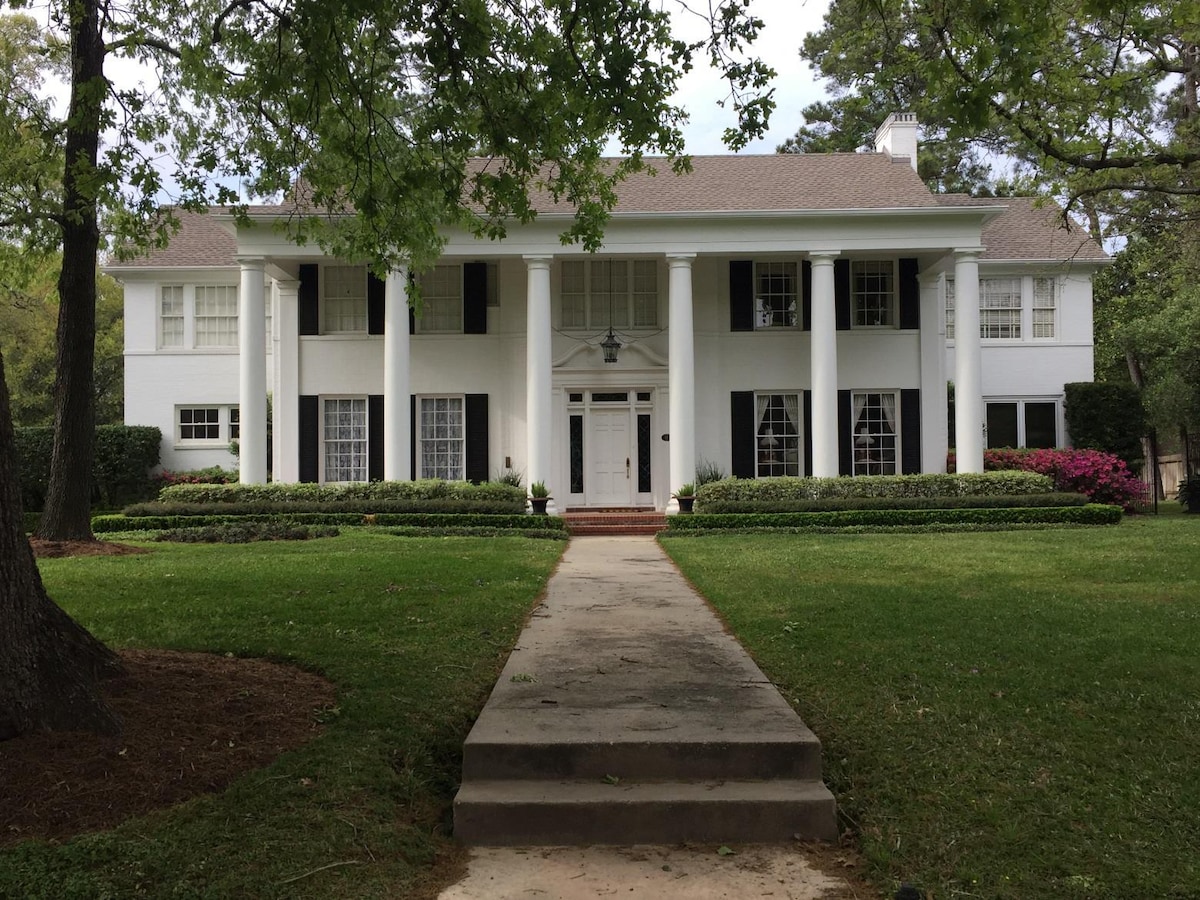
(539, 411)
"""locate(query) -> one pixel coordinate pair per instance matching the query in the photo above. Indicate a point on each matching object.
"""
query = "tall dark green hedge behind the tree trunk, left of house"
(121, 471)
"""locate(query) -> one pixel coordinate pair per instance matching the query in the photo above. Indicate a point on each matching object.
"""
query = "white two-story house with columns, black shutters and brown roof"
(772, 315)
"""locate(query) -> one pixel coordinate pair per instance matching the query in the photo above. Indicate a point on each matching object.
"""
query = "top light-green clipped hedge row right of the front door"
(825, 489)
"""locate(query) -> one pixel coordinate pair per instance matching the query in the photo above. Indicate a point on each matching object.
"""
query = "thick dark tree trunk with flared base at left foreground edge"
(50, 667)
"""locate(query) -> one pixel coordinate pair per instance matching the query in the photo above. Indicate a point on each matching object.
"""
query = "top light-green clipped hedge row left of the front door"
(490, 493)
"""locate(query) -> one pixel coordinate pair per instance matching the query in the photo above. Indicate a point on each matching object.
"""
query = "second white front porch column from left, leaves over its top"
(398, 448)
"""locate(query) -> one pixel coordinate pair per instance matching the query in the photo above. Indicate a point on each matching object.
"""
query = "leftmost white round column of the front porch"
(253, 373)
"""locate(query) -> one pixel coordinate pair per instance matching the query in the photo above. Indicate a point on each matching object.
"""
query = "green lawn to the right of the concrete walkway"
(1004, 715)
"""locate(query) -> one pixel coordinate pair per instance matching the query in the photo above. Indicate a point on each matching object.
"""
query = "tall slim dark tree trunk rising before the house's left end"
(68, 513)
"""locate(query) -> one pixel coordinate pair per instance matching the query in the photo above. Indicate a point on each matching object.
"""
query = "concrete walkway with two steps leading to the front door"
(628, 715)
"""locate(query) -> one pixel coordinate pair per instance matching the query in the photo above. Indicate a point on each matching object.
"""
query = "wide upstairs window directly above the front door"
(603, 293)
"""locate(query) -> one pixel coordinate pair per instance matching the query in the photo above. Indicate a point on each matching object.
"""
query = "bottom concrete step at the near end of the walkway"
(580, 813)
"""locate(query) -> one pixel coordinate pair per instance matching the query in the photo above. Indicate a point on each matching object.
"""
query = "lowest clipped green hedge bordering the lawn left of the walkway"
(105, 525)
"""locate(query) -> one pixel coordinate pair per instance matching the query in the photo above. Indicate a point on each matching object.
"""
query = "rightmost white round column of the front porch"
(968, 369)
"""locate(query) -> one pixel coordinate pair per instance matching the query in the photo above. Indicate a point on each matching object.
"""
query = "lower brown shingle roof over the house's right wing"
(1029, 231)
